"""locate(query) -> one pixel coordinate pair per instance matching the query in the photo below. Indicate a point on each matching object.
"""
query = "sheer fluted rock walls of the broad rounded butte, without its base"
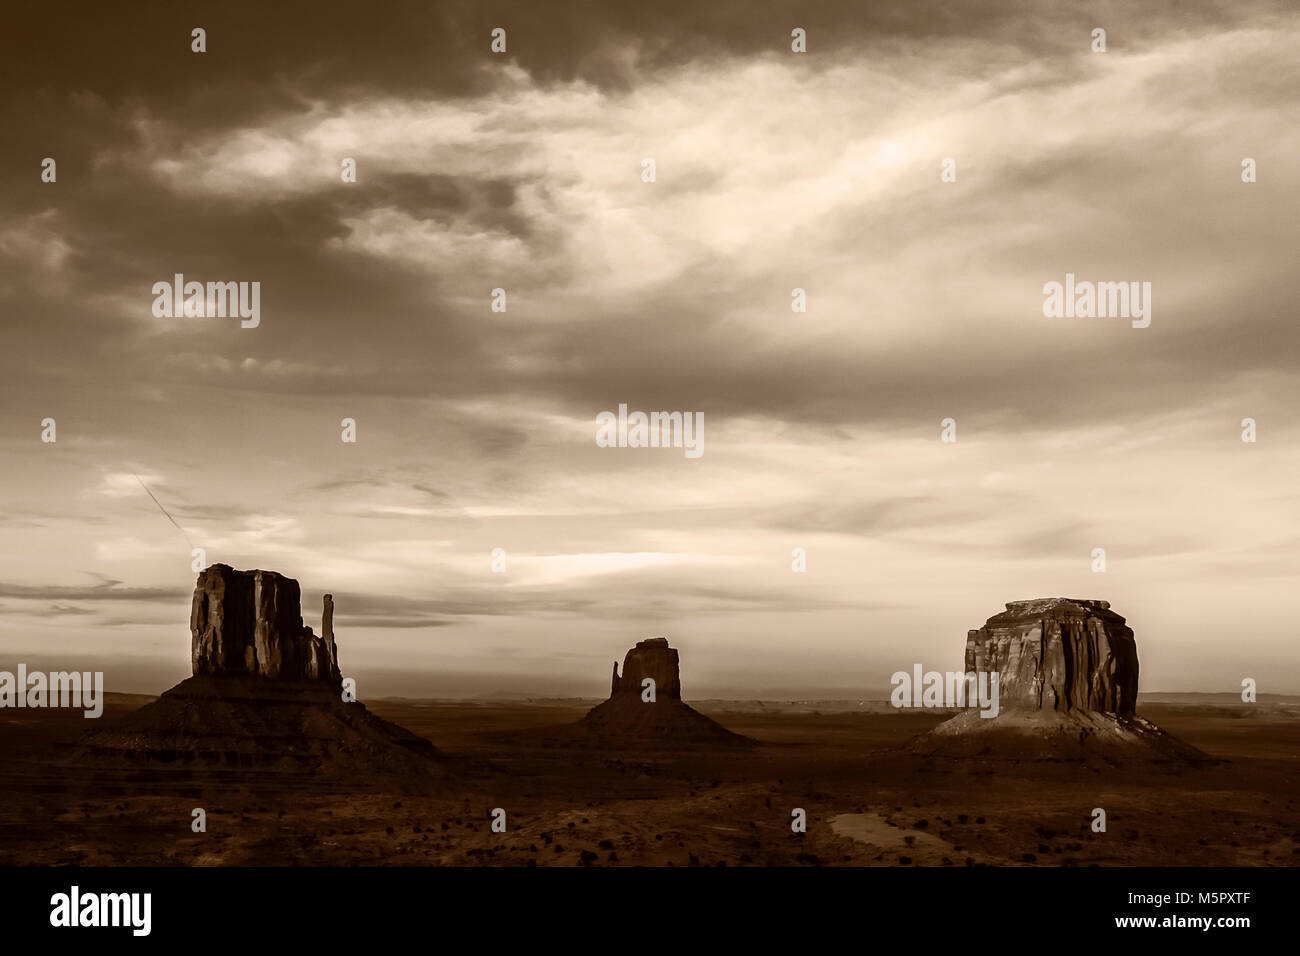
(1059, 655)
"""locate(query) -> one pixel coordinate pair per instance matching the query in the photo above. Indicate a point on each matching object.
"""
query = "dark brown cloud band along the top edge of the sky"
(292, 50)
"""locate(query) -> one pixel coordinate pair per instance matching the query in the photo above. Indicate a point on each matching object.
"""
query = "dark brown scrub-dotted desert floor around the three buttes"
(865, 804)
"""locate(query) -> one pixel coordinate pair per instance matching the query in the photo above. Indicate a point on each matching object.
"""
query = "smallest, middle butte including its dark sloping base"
(627, 721)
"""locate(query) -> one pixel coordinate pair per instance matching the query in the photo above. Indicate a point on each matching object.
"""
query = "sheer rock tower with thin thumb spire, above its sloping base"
(252, 624)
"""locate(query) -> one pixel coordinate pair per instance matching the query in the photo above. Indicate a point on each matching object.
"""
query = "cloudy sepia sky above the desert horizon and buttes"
(476, 429)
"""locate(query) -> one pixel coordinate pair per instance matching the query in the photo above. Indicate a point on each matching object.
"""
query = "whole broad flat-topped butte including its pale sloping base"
(1068, 689)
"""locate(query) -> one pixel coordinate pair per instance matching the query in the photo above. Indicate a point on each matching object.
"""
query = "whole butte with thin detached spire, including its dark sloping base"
(266, 698)
